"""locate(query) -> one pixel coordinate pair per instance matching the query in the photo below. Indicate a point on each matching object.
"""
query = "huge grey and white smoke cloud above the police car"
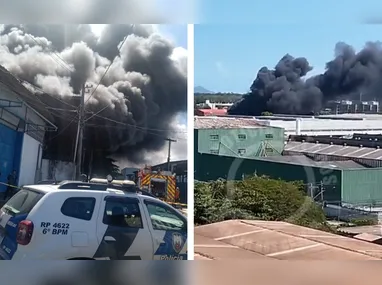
(142, 92)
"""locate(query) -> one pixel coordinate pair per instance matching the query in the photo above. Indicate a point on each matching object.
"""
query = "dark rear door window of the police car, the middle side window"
(122, 212)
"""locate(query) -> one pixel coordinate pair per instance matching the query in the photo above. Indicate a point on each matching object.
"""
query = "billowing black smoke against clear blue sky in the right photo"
(285, 90)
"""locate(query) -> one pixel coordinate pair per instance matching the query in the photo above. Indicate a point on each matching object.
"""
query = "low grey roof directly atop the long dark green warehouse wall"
(303, 160)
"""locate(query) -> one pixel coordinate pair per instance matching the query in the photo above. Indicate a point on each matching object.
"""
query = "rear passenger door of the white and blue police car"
(122, 230)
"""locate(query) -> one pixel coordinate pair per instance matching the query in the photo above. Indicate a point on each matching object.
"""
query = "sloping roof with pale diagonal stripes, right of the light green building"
(335, 150)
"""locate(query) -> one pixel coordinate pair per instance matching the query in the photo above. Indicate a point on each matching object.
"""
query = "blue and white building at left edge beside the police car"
(22, 131)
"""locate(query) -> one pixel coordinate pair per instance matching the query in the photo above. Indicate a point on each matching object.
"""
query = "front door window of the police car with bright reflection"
(164, 218)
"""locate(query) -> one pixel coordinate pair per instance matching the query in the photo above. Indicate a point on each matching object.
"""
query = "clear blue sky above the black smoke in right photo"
(227, 57)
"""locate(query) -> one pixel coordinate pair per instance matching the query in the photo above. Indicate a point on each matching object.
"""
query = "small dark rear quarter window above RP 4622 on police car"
(79, 208)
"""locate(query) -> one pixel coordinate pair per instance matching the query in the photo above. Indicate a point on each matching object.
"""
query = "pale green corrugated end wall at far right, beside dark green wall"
(362, 186)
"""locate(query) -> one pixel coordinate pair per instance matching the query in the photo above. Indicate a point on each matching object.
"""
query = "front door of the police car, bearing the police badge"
(169, 229)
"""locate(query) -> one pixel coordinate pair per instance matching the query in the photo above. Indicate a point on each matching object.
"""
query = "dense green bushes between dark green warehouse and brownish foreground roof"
(256, 198)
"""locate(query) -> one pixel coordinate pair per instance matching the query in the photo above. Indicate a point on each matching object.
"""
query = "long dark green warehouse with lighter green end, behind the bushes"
(335, 182)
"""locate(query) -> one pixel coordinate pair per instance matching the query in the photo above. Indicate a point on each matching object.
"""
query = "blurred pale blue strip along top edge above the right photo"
(292, 11)
